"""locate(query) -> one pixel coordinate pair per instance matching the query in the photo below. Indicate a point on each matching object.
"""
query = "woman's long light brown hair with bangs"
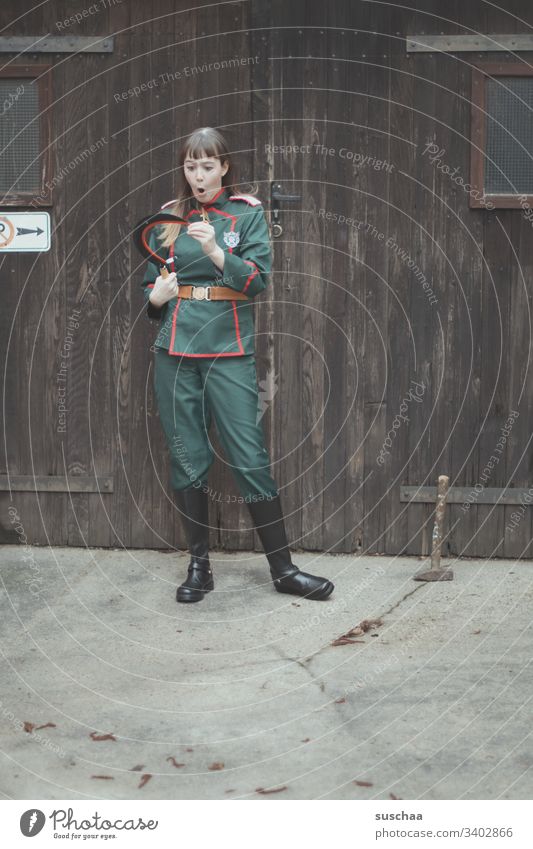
(203, 142)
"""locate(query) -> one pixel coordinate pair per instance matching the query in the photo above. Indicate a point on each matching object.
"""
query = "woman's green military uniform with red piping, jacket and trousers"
(205, 350)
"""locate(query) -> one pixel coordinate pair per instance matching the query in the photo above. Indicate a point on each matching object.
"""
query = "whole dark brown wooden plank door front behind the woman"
(346, 325)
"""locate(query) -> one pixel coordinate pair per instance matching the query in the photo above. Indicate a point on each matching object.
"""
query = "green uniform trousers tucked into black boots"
(191, 392)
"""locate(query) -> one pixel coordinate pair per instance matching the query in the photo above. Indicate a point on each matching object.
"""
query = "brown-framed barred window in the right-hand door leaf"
(502, 135)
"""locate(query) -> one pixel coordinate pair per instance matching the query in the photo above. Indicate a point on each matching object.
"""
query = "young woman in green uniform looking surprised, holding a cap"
(205, 356)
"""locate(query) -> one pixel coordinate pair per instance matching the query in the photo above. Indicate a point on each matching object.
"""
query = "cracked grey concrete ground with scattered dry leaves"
(244, 696)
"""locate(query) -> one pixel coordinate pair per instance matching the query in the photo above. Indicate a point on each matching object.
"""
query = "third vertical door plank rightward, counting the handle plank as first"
(343, 294)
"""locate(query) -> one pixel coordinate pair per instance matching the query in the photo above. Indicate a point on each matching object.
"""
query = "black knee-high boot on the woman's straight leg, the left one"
(194, 505)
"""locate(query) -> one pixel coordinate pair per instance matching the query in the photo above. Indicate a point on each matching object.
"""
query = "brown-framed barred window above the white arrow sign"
(24, 135)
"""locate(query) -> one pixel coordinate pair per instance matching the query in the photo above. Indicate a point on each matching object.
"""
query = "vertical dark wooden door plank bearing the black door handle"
(290, 284)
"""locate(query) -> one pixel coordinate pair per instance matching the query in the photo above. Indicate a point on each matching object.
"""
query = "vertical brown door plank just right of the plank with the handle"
(309, 281)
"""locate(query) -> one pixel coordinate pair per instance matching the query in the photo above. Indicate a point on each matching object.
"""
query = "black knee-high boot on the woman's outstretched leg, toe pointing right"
(267, 516)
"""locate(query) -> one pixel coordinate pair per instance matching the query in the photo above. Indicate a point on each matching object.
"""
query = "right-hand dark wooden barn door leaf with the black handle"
(386, 328)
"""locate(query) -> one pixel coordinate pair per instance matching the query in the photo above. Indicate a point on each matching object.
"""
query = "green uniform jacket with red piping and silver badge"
(195, 328)
